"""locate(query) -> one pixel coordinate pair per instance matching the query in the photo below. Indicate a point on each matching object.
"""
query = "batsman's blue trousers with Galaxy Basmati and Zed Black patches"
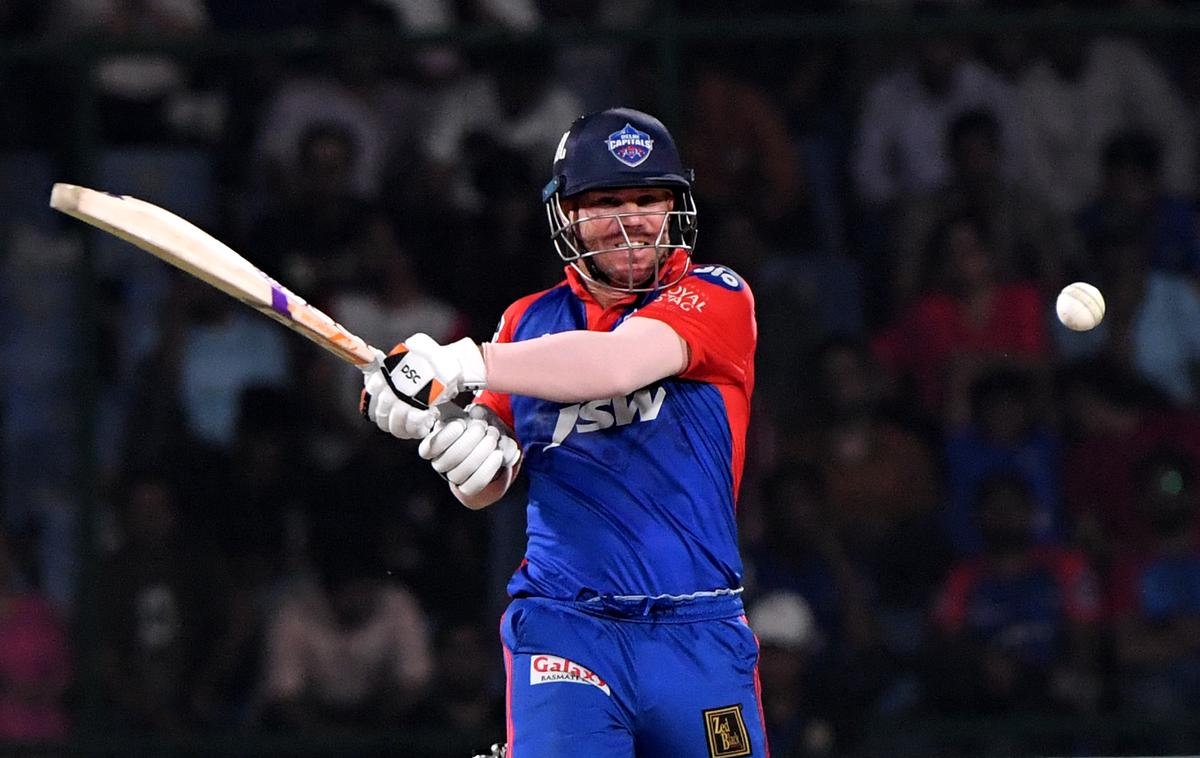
(622, 679)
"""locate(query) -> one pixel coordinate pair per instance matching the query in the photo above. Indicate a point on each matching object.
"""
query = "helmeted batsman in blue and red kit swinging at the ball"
(625, 395)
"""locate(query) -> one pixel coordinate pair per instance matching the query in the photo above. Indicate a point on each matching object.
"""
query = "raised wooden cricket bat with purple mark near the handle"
(190, 249)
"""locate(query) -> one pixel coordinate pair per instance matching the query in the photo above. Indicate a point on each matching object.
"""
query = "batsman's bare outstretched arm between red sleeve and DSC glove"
(578, 366)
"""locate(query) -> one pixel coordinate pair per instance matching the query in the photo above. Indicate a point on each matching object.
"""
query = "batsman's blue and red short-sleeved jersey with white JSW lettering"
(637, 495)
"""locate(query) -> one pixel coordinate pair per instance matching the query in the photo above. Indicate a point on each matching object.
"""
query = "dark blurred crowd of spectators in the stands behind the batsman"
(953, 506)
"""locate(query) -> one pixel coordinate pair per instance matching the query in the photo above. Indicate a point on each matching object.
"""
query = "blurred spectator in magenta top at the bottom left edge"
(35, 660)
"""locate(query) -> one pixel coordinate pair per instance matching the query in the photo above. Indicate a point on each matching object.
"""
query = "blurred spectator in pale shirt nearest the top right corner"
(1077, 95)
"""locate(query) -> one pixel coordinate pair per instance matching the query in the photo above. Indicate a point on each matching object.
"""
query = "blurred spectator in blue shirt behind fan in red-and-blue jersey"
(998, 425)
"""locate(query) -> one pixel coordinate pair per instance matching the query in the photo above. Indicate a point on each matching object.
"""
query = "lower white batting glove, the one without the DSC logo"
(470, 452)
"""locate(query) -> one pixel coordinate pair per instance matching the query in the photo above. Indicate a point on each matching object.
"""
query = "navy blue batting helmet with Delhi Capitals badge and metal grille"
(616, 149)
